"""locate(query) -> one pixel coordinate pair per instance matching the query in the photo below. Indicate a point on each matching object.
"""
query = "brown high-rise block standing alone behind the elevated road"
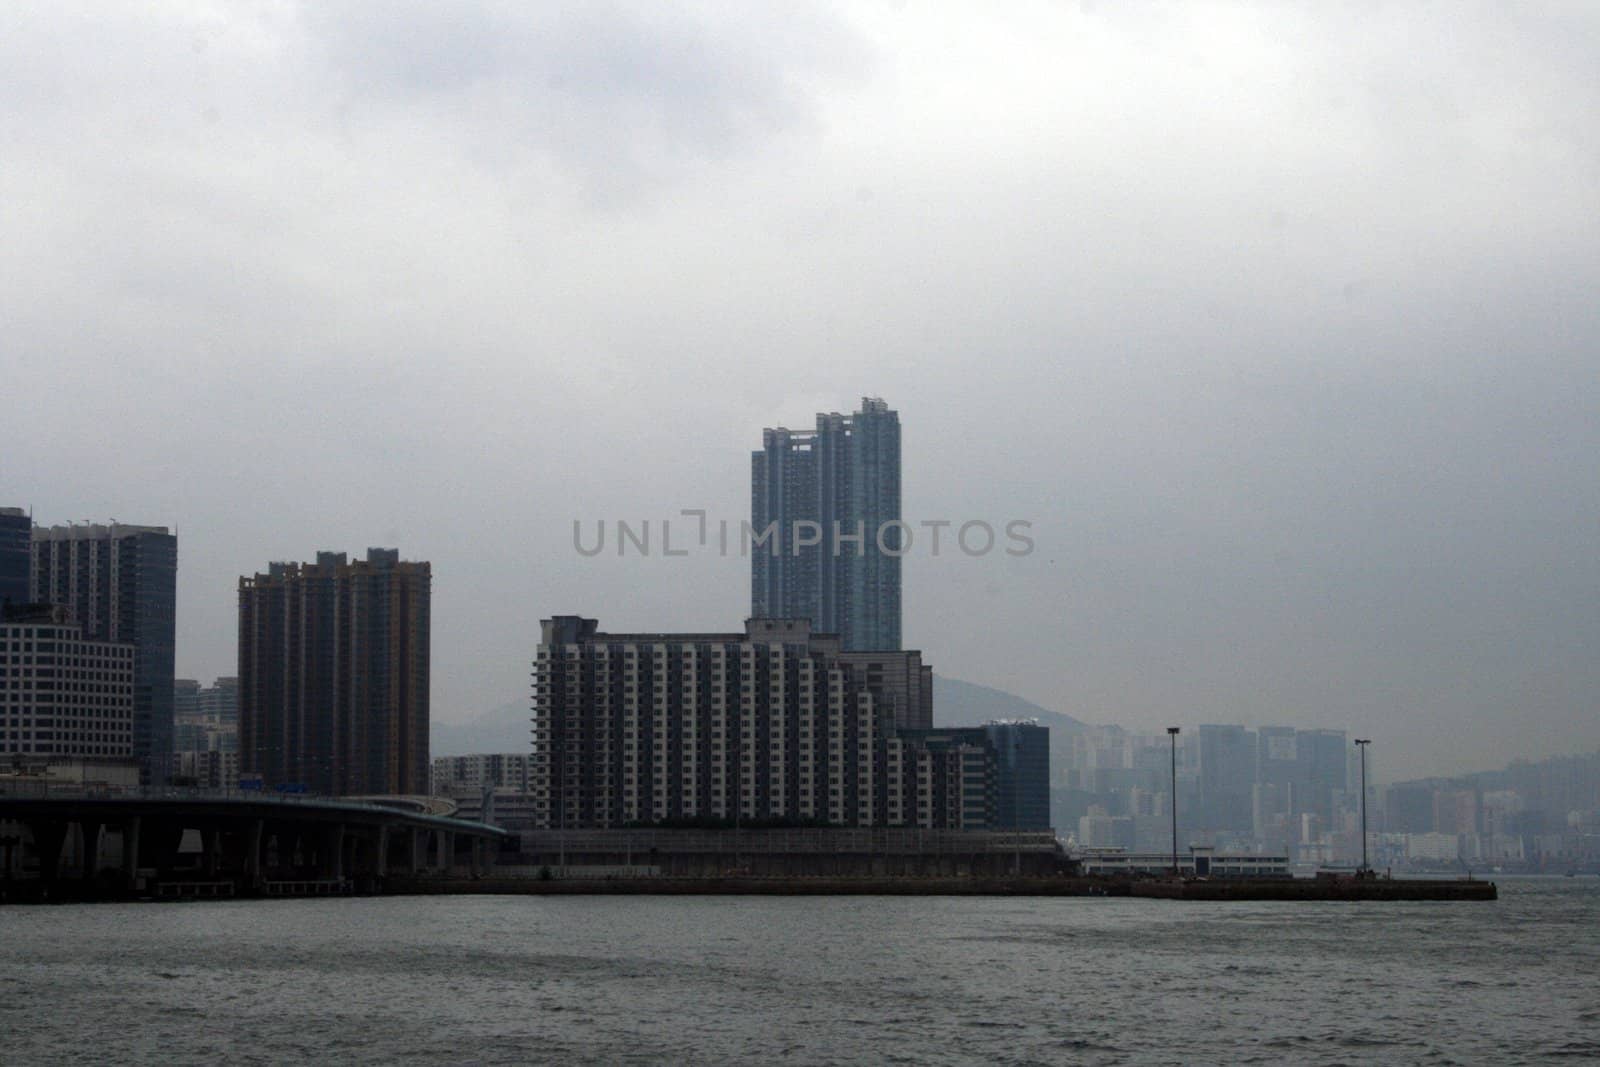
(334, 674)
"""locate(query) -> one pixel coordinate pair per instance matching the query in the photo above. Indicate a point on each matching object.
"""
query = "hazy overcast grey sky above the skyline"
(1279, 322)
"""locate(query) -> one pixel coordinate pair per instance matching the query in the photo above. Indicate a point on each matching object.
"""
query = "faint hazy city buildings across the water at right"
(1297, 793)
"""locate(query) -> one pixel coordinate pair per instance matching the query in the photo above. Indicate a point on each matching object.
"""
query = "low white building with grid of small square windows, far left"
(63, 695)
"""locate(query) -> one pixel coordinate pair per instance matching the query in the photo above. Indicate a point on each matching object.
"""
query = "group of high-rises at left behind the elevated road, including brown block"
(332, 692)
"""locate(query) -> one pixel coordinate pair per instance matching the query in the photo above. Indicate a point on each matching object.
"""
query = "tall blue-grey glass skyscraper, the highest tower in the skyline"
(831, 500)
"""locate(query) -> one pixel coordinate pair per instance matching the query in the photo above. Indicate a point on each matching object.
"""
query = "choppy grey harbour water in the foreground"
(815, 981)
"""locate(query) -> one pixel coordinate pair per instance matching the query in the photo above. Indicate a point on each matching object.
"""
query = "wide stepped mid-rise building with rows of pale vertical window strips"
(775, 725)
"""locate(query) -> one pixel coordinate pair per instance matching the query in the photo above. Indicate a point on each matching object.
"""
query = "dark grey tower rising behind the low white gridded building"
(121, 585)
